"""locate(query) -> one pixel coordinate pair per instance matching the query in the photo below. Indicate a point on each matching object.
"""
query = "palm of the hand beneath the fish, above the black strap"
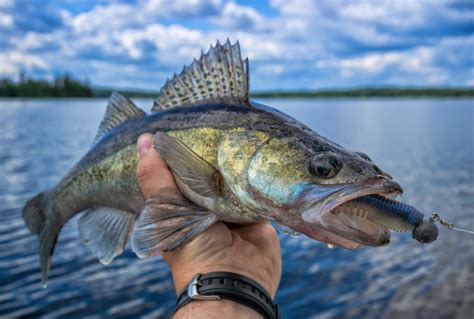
(251, 250)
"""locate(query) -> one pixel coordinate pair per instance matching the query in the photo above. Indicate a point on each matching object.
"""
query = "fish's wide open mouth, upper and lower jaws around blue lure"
(326, 213)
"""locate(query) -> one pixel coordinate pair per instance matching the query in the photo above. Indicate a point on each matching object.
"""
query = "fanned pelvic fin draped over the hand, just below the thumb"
(167, 223)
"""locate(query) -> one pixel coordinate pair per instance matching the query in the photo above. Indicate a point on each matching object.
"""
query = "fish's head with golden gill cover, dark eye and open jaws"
(306, 179)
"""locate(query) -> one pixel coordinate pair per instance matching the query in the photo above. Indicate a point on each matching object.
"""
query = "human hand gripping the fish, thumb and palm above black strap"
(251, 250)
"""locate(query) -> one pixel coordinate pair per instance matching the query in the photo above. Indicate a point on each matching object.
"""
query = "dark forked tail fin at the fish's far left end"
(36, 222)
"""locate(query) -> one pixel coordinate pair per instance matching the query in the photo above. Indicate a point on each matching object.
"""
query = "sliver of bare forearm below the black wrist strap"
(219, 309)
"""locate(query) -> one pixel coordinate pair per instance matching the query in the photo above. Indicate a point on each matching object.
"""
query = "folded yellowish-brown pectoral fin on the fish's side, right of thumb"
(195, 172)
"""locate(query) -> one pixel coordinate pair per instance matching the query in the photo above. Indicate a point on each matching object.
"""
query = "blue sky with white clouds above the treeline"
(291, 44)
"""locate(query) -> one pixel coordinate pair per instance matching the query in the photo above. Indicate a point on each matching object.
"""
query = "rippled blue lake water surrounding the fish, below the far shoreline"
(426, 144)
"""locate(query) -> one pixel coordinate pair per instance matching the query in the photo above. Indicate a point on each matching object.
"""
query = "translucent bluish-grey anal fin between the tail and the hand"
(105, 231)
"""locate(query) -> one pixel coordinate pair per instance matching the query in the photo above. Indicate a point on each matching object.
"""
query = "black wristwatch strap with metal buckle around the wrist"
(230, 286)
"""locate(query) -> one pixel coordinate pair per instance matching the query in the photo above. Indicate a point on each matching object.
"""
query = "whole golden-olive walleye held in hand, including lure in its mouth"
(234, 159)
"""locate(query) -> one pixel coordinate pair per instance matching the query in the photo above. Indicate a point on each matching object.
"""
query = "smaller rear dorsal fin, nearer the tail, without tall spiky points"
(119, 110)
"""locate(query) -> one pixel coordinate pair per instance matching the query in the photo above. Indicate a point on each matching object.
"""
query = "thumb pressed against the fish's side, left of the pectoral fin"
(152, 172)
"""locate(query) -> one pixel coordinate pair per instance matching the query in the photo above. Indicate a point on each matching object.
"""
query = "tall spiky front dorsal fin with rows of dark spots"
(220, 75)
